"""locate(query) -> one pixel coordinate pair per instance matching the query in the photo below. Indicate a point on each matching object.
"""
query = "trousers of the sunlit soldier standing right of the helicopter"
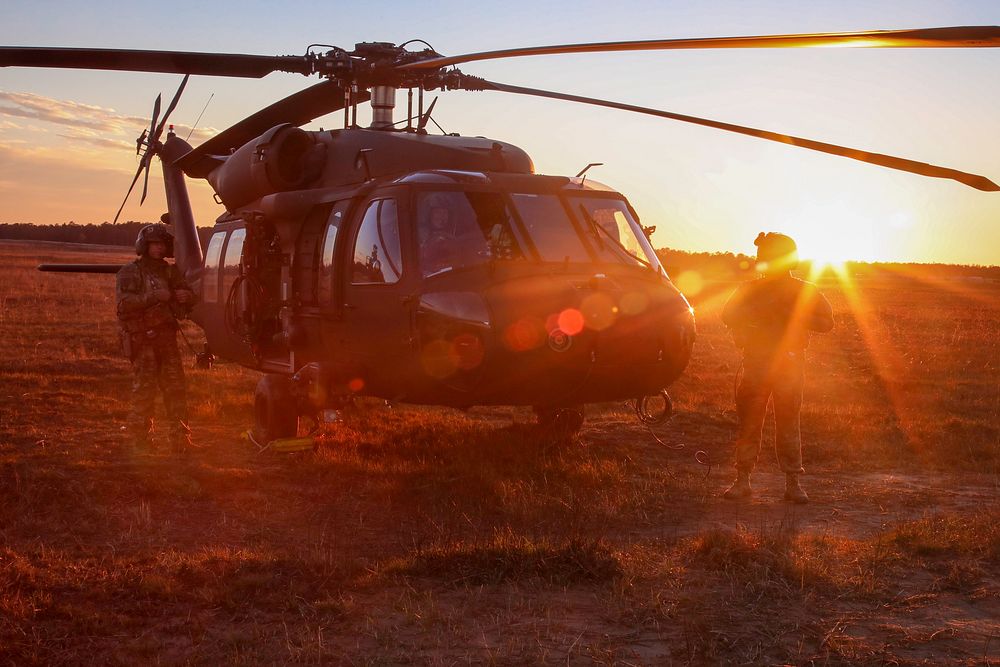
(779, 379)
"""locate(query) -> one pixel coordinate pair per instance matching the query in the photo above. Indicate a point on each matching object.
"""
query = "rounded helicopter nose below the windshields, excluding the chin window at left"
(578, 340)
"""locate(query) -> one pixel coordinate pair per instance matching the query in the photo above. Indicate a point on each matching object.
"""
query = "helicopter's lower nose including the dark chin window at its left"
(543, 340)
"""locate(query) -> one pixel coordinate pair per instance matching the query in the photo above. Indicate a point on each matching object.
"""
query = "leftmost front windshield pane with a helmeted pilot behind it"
(461, 229)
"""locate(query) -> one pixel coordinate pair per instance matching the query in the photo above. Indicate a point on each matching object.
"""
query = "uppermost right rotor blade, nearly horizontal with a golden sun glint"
(958, 37)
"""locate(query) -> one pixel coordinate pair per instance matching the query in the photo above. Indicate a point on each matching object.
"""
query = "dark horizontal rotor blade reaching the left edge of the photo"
(175, 62)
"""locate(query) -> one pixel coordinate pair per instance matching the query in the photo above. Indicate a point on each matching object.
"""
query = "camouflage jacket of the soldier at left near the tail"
(138, 308)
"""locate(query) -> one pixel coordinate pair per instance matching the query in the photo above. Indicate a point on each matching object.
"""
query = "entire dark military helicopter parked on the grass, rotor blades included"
(429, 269)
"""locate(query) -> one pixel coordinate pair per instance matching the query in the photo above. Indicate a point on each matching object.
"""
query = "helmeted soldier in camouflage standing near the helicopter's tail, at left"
(152, 295)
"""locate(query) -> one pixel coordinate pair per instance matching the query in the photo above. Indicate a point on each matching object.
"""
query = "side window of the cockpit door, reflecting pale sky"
(377, 256)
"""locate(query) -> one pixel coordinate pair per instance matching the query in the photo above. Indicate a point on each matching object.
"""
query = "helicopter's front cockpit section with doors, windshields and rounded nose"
(550, 275)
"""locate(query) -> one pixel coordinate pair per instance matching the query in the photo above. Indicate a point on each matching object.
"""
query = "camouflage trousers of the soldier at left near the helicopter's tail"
(156, 363)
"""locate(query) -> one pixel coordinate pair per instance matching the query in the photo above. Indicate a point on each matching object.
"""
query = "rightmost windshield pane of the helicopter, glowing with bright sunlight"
(614, 233)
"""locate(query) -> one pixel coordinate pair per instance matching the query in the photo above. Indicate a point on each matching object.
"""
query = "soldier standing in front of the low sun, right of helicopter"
(771, 319)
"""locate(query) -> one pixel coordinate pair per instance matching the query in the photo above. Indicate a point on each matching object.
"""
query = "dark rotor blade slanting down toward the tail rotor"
(298, 109)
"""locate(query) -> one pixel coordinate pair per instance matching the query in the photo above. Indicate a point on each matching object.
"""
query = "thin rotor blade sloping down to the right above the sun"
(902, 164)
